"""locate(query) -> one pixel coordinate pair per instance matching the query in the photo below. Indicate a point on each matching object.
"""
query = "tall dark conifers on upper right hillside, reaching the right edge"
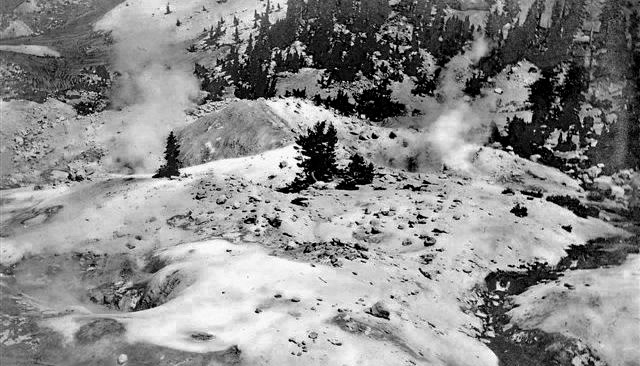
(557, 97)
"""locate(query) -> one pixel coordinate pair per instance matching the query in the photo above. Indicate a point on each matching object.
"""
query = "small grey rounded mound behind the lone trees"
(242, 128)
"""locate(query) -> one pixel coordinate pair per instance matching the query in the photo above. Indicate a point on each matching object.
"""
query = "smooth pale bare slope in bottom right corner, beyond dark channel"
(602, 307)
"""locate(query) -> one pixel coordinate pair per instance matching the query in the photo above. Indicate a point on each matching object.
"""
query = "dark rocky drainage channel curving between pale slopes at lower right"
(532, 347)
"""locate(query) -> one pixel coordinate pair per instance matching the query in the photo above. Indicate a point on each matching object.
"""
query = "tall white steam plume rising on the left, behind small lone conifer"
(155, 87)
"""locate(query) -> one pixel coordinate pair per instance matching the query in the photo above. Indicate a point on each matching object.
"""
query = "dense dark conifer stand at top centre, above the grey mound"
(347, 39)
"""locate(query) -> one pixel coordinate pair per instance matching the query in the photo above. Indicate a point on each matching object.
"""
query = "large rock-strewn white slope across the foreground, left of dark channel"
(427, 324)
